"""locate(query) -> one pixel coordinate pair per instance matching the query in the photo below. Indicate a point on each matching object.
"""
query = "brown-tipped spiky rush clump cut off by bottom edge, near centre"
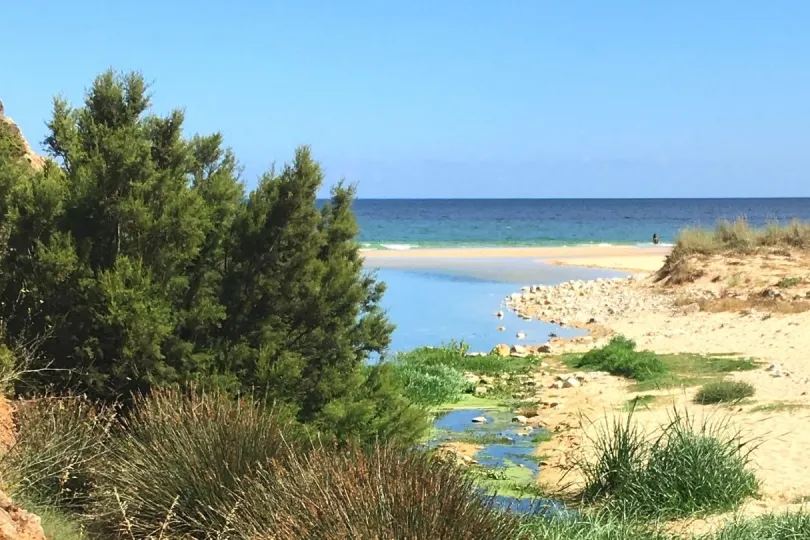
(380, 492)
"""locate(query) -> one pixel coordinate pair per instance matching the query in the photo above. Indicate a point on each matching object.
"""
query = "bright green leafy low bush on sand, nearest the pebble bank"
(619, 357)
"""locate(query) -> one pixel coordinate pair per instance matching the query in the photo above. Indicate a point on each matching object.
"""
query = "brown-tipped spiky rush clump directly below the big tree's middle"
(180, 459)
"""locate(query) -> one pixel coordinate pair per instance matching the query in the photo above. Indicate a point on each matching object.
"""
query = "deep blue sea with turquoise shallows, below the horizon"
(399, 224)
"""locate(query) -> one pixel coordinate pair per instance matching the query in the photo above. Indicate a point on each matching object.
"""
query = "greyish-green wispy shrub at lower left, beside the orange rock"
(60, 444)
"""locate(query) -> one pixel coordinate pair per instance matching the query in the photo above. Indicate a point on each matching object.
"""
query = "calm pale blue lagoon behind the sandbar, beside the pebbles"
(432, 305)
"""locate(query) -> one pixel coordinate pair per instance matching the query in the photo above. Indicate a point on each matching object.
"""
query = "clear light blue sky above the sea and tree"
(454, 98)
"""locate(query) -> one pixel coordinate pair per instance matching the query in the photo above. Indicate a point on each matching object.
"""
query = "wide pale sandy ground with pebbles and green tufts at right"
(664, 320)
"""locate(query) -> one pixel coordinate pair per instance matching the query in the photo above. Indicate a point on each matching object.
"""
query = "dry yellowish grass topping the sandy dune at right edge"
(730, 237)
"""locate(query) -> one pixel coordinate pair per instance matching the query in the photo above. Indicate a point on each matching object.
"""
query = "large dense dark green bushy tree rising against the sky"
(135, 260)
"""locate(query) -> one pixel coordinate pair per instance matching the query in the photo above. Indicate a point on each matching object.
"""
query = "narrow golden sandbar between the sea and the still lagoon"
(624, 258)
